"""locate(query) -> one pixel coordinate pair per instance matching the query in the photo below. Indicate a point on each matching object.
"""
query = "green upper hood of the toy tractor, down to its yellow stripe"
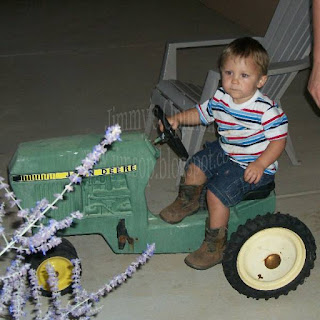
(61, 155)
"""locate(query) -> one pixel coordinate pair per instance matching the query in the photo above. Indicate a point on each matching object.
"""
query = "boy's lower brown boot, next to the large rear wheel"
(211, 251)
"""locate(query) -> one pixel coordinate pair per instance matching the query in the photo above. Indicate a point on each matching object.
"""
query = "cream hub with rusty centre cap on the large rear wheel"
(271, 259)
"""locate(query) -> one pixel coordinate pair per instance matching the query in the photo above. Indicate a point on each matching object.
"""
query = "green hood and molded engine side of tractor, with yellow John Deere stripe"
(114, 189)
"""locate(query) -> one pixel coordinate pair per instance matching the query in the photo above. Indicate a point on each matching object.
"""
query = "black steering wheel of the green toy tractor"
(169, 136)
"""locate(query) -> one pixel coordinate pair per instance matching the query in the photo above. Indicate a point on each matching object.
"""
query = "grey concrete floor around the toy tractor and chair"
(76, 67)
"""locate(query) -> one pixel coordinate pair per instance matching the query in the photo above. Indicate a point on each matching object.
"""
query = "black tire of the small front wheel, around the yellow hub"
(65, 250)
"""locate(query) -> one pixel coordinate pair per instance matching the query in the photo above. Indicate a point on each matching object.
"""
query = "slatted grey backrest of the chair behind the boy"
(288, 38)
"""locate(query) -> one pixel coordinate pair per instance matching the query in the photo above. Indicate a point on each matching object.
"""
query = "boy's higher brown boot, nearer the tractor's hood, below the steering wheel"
(185, 204)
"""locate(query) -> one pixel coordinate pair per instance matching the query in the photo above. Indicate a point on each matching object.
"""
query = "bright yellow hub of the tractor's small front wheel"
(63, 268)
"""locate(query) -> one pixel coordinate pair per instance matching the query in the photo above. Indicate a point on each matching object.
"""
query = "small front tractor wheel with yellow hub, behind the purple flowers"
(60, 258)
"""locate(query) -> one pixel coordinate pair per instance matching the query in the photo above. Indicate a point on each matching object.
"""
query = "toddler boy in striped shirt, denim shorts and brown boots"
(252, 130)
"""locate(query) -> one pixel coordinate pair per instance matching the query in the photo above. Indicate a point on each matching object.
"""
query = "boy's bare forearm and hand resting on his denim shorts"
(254, 171)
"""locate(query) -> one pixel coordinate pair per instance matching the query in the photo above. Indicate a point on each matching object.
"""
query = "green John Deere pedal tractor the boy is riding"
(268, 254)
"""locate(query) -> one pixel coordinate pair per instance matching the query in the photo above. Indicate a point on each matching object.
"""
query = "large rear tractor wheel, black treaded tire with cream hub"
(269, 256)
